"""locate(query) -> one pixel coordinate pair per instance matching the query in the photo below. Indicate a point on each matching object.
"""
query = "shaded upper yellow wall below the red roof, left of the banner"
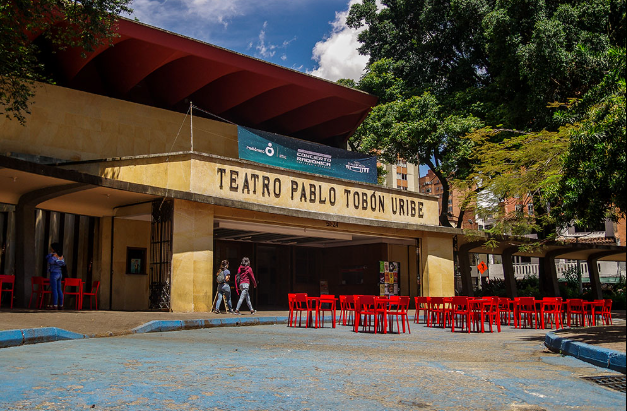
(74, 125)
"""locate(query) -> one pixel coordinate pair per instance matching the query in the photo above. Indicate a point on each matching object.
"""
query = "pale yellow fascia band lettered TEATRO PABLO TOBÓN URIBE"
(243, 181)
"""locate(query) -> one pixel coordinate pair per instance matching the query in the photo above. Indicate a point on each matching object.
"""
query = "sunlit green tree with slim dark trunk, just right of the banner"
(414, 128)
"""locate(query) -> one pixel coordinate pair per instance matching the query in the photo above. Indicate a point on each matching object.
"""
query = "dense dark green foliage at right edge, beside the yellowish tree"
(593, 184)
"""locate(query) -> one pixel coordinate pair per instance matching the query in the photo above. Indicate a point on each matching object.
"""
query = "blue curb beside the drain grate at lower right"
(601, 357)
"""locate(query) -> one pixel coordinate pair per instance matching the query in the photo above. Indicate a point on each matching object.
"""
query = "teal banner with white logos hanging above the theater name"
(281, 151)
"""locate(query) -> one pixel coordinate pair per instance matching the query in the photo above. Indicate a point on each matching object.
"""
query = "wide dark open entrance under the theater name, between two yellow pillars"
(290, 259)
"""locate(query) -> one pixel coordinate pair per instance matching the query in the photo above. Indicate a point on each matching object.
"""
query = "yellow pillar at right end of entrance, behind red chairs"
(438, 268)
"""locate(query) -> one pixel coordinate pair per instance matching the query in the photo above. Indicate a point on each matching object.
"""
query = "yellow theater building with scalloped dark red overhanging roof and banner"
(155, 159)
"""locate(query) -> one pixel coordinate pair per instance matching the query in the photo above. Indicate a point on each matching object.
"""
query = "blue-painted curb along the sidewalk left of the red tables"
(14, 338)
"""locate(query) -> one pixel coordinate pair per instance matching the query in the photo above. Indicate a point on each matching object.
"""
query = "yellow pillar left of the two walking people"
(192, 257)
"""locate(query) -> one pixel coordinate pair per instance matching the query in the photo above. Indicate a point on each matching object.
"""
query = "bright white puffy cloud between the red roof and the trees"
(337, 55)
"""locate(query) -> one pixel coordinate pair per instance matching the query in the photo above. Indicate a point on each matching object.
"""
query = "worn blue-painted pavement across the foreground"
(281, 368)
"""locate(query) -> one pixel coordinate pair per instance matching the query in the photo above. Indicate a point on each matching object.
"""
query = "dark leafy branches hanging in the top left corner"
(64, 23)
